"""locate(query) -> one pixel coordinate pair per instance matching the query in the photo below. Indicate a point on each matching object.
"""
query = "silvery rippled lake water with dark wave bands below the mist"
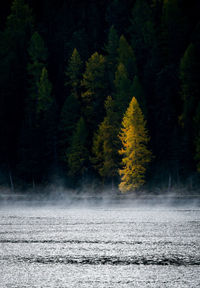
(99, 247)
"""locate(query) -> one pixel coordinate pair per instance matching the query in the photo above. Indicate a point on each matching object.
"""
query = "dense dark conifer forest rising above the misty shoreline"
(72, 72)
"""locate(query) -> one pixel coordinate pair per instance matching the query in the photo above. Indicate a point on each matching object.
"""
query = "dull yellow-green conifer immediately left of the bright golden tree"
(106, 143)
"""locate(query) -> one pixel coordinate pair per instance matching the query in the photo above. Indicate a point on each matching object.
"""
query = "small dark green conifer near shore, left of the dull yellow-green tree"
(78, 153)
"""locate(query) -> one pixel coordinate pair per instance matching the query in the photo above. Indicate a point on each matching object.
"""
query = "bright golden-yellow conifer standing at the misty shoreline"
(135, 154)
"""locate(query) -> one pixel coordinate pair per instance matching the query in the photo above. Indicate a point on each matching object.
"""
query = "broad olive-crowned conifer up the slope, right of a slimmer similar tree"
(95, 90)
